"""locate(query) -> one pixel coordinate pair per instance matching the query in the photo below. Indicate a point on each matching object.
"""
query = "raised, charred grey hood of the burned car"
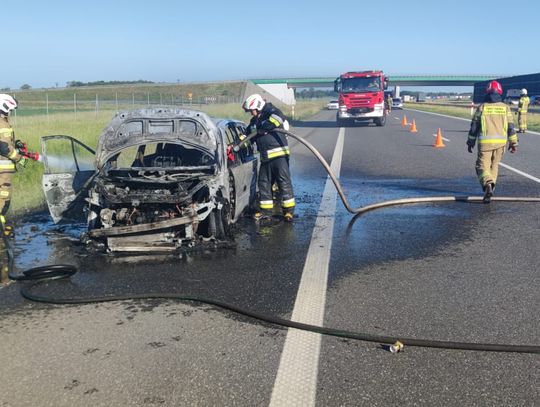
(136, 127)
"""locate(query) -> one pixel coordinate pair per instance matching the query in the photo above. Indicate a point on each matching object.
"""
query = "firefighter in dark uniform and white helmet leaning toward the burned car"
(274, 152)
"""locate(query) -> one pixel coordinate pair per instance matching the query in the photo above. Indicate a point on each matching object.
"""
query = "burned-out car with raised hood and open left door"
(159, 178)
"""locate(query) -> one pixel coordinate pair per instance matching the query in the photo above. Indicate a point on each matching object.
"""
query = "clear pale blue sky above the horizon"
(52, 42)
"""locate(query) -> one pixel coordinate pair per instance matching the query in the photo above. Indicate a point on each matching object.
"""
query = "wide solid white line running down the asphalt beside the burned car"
(296, 380)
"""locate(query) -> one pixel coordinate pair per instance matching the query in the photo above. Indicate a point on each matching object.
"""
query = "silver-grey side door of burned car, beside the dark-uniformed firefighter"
(244, 170)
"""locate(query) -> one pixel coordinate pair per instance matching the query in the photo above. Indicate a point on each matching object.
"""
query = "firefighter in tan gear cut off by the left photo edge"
(8, 157)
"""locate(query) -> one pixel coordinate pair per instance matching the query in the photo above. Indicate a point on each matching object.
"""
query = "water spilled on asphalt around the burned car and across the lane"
(39, 241)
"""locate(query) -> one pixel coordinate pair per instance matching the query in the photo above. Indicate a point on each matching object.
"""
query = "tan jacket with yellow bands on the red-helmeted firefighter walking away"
(492, 125)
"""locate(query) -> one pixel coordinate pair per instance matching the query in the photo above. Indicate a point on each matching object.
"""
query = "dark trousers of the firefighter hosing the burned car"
(275, 171)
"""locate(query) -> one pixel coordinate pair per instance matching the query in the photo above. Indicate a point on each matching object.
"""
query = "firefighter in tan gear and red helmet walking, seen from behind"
(492, 126)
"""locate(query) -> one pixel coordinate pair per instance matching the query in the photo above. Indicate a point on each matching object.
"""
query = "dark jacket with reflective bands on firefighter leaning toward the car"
(270, 144)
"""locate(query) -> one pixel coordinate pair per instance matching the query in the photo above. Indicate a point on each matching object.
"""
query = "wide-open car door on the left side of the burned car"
(69, 171)
